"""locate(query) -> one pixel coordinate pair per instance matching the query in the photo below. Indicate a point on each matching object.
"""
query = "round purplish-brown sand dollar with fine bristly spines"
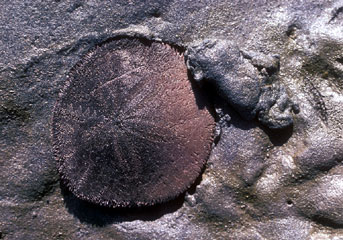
(129, 129)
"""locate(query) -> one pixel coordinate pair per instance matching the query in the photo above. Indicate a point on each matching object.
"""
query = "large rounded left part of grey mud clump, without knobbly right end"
(220, 62)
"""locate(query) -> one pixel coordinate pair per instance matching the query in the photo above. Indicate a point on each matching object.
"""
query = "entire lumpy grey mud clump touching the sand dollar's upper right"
(247, 81)
